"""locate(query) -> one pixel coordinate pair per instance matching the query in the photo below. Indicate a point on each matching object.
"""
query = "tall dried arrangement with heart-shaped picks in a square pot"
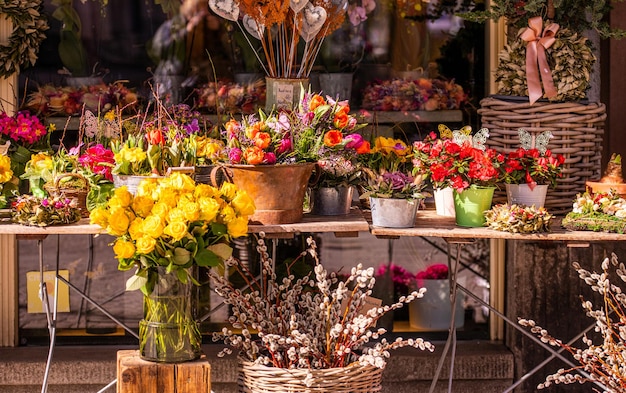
(286, 38)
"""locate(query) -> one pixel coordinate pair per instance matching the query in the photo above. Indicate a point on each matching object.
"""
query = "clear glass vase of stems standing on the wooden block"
(168, 332)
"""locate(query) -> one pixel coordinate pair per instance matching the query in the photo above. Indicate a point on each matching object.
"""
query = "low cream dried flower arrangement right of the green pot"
(518, 219)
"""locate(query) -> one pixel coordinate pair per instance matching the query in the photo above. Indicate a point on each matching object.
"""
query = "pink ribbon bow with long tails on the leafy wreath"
(536, 61)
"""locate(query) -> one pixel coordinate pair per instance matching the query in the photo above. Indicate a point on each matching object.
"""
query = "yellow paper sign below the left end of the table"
(35, 304)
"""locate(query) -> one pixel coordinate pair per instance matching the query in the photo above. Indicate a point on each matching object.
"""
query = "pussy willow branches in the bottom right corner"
(601, 362)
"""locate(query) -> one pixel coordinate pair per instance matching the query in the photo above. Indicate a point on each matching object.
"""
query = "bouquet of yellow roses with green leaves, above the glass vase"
(173, 223)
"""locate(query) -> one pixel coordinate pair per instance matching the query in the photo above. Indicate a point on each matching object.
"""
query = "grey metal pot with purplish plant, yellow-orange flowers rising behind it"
(394, 193)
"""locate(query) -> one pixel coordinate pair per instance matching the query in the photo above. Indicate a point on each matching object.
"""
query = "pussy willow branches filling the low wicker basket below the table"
(307, 323)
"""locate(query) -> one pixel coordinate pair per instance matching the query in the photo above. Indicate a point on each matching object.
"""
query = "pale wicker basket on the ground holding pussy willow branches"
(355, 378)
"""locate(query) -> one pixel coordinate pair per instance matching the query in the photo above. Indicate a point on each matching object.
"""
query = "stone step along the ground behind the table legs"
(480, 366)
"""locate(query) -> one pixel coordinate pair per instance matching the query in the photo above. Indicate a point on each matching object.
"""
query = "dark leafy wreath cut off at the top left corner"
(29, 26)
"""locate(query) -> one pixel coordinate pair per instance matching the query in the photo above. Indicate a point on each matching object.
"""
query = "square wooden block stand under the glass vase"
(135, 375)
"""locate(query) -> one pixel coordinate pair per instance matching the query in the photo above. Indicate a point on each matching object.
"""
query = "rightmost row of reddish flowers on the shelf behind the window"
(413, 95)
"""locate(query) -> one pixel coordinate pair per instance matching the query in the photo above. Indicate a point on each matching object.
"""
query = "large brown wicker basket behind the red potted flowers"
(577, 131)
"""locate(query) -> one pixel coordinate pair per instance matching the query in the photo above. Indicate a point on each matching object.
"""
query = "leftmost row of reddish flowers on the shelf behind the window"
(49, 100)
